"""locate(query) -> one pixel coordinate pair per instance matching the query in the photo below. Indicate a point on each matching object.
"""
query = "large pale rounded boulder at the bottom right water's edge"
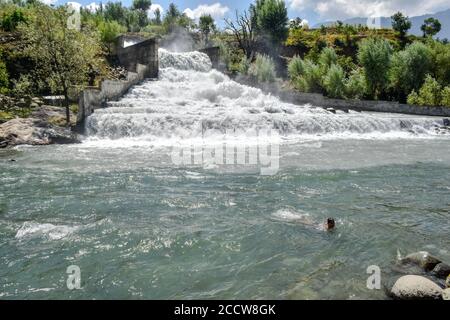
(413, 287)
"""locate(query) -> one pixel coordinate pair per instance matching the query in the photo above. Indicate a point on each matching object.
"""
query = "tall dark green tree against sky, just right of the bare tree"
(272, 20)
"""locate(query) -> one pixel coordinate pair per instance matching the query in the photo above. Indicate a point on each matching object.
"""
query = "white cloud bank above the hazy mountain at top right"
(343, 9)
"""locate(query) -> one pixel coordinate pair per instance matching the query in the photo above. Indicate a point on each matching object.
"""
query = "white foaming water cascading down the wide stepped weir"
(192, 102)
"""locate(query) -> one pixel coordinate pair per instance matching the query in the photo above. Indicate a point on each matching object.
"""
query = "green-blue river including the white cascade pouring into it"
(143, 221)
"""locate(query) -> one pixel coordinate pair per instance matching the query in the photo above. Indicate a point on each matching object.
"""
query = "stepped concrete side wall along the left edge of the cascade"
(110, 90)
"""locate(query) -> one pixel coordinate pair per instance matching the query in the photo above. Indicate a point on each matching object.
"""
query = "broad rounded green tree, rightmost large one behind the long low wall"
(410, 67)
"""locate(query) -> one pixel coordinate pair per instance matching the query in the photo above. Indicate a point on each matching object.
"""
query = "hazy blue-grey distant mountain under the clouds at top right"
(443, 17)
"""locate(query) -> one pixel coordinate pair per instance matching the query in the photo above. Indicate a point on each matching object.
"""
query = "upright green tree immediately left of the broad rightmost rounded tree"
(375, 57)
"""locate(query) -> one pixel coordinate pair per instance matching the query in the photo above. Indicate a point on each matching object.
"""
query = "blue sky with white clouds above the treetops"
(313, 11)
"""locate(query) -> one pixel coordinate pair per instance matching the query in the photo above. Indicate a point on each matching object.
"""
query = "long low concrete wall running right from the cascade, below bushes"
(319, 100)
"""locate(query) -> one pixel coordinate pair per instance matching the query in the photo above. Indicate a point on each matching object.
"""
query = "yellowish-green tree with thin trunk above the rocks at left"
(63, 56)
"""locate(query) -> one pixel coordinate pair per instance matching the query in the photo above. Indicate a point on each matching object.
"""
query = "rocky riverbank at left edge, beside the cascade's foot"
(45, 125)
